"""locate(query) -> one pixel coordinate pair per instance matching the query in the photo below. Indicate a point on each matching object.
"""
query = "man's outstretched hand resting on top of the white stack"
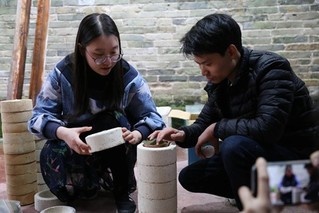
(168, 134)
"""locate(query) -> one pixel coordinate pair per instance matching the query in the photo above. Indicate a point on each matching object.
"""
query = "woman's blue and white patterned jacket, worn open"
(55, 102)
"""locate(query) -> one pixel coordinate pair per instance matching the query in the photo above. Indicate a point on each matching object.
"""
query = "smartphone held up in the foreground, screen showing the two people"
(290, 182)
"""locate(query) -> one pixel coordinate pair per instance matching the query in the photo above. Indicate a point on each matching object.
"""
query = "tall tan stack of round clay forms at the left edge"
(19, 151)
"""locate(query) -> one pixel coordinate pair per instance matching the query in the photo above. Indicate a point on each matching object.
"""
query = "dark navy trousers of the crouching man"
(224, 173)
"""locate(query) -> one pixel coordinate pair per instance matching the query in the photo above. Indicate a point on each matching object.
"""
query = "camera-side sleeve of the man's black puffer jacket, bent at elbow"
(275, 83)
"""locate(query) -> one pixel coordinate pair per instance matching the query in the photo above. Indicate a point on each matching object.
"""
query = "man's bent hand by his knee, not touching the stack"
(207, 136)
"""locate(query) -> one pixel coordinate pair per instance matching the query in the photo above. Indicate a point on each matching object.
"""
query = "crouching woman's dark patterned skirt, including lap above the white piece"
(63, 169)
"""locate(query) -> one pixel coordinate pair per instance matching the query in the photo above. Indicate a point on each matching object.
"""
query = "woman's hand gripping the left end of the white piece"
(71, 136)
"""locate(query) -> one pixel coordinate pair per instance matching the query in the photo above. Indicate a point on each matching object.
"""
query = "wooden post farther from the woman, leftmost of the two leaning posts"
(15, 83)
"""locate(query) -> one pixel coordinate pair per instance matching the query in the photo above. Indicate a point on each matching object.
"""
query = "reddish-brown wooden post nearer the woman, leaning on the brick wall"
(39, 50)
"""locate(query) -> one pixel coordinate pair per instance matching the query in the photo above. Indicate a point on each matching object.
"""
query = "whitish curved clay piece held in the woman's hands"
(105, 139)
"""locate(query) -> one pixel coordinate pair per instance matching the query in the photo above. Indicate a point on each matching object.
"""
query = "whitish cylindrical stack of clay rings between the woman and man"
(156, 179)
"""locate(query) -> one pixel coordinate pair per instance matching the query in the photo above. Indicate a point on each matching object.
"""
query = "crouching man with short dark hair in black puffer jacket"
(257, 107)
